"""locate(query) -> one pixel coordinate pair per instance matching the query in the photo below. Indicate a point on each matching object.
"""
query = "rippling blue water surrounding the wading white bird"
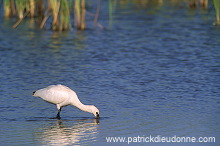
(149, 74)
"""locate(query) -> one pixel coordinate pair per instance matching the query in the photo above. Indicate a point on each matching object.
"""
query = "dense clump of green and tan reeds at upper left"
(57, 13)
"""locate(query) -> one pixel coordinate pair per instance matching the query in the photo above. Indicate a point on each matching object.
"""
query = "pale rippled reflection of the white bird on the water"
(69, 133)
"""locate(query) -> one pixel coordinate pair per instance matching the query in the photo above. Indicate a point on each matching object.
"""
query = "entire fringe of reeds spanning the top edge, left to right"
(57, 14)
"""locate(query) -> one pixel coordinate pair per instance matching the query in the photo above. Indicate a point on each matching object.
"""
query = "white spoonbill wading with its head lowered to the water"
(63, 96)
